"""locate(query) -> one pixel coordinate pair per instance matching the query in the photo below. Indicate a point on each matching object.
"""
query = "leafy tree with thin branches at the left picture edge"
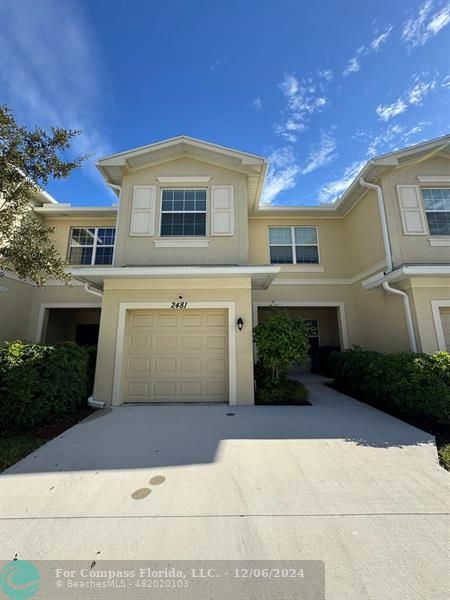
(28, 160)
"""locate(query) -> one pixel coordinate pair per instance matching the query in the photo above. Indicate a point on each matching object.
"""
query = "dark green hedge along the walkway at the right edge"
(413, 386)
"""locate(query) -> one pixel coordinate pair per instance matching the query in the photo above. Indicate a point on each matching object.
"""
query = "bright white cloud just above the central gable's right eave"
(282, 174)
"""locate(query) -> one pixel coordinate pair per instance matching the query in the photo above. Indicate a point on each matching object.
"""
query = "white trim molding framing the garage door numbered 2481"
(120, 340)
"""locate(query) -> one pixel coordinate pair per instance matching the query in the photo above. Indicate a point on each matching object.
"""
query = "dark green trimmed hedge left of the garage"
(38, 382)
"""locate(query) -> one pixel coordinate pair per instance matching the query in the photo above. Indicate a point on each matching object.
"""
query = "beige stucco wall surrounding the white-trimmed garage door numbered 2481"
(167, 290)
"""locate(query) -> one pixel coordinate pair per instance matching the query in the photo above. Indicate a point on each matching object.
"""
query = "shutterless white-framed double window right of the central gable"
(294, 245)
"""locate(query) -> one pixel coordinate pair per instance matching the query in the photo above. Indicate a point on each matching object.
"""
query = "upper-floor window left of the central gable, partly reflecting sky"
(91, 245)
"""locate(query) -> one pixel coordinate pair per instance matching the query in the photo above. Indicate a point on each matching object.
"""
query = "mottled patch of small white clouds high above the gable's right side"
(303, 100)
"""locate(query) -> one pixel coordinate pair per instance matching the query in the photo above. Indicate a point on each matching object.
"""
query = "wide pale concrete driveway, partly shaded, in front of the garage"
(337, 481)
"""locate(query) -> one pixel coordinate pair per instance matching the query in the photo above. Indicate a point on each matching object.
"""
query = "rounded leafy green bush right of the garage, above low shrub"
(281, 342)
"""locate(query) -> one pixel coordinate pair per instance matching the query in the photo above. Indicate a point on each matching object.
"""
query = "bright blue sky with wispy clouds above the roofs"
(318, 87)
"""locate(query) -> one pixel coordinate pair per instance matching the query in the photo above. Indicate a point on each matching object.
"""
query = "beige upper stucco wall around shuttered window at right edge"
(410, 249)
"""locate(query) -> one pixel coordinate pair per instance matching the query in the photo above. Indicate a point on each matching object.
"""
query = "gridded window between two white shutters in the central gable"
(183, 212)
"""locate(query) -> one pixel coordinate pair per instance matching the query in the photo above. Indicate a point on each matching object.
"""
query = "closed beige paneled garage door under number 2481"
(176, 356)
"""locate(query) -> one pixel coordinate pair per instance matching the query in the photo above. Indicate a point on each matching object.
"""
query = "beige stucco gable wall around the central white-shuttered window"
(138, 250)
